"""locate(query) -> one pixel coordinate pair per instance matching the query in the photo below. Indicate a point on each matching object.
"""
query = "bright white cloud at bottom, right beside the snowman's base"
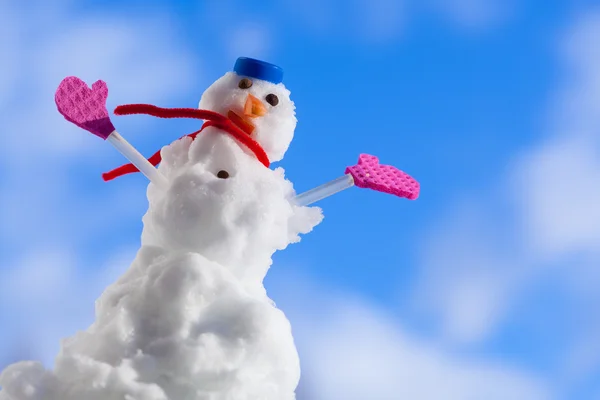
(353, 350)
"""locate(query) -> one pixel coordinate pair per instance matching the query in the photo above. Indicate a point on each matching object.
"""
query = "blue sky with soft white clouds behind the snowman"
(485, 286)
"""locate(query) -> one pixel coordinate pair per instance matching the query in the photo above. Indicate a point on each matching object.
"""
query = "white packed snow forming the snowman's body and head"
(190, 319)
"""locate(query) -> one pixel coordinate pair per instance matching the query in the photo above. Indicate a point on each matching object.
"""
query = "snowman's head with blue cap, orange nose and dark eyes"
(254, 99)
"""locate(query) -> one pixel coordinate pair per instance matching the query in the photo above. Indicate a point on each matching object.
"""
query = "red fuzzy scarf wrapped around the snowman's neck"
(212, 119)
